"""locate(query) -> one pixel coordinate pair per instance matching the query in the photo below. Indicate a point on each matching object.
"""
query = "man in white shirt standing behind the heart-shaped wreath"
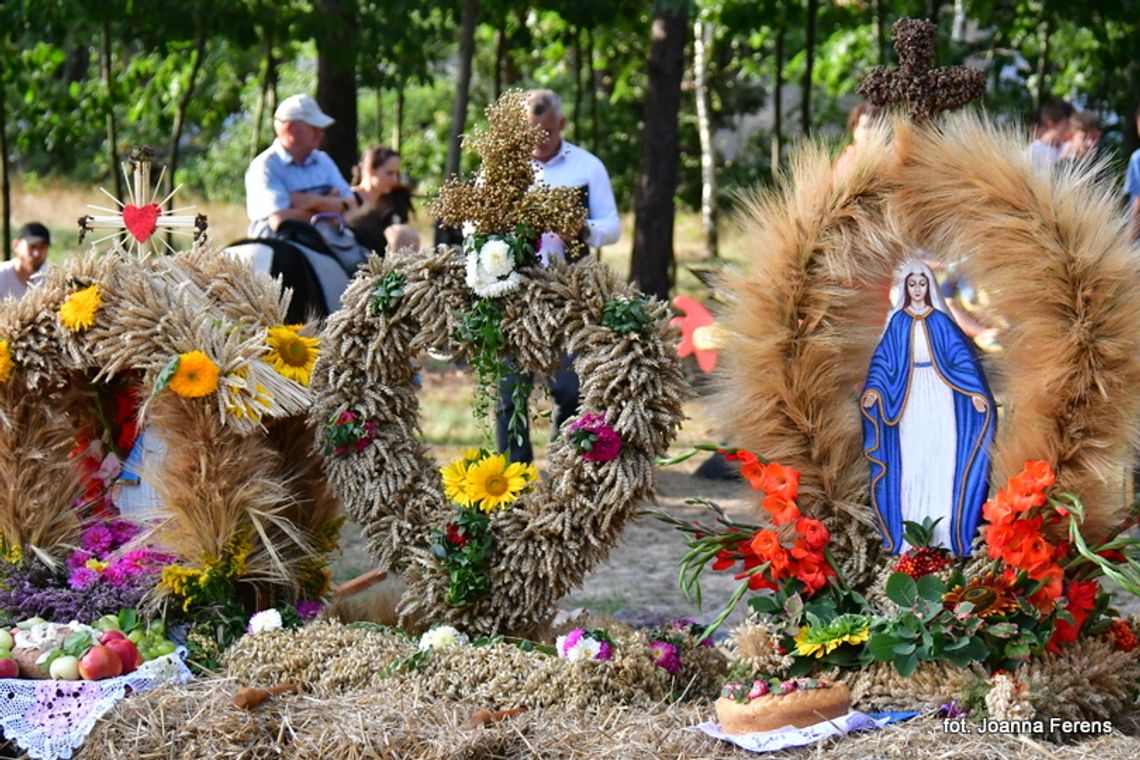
(559, 164)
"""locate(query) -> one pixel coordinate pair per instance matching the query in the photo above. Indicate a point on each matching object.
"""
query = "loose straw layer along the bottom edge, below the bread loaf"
(199, 721)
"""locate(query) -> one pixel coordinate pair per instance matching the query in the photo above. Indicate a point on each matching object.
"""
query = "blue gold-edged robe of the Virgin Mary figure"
(890, 377)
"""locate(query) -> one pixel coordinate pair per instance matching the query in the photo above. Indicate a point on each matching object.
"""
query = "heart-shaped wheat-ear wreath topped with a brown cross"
(548, 540)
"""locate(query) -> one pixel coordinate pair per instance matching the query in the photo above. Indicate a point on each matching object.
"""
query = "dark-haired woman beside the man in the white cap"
(385, 201)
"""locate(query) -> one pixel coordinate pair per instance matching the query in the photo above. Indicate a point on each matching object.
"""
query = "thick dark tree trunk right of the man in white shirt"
(652, 267)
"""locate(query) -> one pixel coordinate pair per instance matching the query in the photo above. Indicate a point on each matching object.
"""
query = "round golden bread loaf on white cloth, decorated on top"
(800, 704)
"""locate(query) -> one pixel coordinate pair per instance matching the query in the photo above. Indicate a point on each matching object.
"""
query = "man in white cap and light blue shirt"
(294, 179)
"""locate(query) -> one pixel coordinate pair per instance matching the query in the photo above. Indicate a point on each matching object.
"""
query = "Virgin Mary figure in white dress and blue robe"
(929, 420)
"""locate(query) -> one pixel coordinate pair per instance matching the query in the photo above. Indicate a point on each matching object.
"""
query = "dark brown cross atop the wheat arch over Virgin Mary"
(916, 85)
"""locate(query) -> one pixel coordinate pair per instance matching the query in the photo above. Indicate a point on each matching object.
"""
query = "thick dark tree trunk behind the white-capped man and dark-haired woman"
(337, 93)
